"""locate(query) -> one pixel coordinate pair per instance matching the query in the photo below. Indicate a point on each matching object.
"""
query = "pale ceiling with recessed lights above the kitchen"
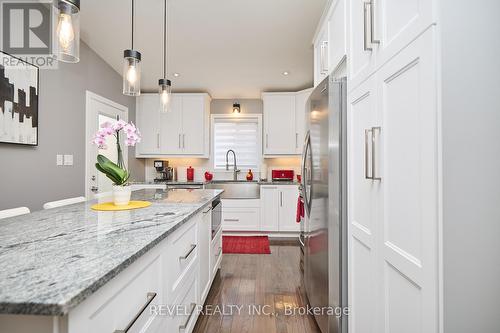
(228, 48)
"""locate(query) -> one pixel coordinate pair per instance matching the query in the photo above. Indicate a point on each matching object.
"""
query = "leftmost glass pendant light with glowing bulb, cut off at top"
(68, 30)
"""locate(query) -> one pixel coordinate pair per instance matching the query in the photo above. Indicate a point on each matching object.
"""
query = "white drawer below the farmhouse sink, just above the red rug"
(245, 218)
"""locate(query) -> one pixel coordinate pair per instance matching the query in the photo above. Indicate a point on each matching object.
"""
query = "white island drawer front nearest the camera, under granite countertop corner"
(114, 306)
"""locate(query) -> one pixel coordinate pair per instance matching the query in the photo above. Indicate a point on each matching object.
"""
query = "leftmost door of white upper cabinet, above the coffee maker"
(148, 118)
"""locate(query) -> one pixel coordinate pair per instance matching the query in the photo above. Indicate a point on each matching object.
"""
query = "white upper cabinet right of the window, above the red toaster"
(284, 122)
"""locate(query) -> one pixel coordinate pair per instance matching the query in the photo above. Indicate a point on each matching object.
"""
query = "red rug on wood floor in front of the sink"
(246, 244)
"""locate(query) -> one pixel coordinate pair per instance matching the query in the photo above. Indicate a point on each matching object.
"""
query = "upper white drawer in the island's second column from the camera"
(182, 253)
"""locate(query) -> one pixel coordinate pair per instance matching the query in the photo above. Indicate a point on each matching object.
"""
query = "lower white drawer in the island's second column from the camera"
(184, 307)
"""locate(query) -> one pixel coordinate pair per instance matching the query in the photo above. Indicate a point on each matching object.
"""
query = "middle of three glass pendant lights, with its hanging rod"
(132, 67)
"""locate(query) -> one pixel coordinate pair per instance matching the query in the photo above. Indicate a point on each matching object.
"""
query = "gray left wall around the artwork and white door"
(29, 175)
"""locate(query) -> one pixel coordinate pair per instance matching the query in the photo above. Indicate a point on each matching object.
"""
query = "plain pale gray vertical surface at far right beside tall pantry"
(471, 165)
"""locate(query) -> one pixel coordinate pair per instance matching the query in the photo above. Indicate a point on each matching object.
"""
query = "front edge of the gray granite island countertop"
(43, 309)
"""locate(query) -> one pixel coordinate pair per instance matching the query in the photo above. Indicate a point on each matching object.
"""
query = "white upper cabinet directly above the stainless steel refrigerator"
(330, 41)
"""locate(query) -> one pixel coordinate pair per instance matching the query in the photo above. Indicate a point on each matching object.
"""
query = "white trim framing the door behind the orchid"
(88, 138)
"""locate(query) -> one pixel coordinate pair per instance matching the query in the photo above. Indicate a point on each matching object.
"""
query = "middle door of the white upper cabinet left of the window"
(171, 124)
